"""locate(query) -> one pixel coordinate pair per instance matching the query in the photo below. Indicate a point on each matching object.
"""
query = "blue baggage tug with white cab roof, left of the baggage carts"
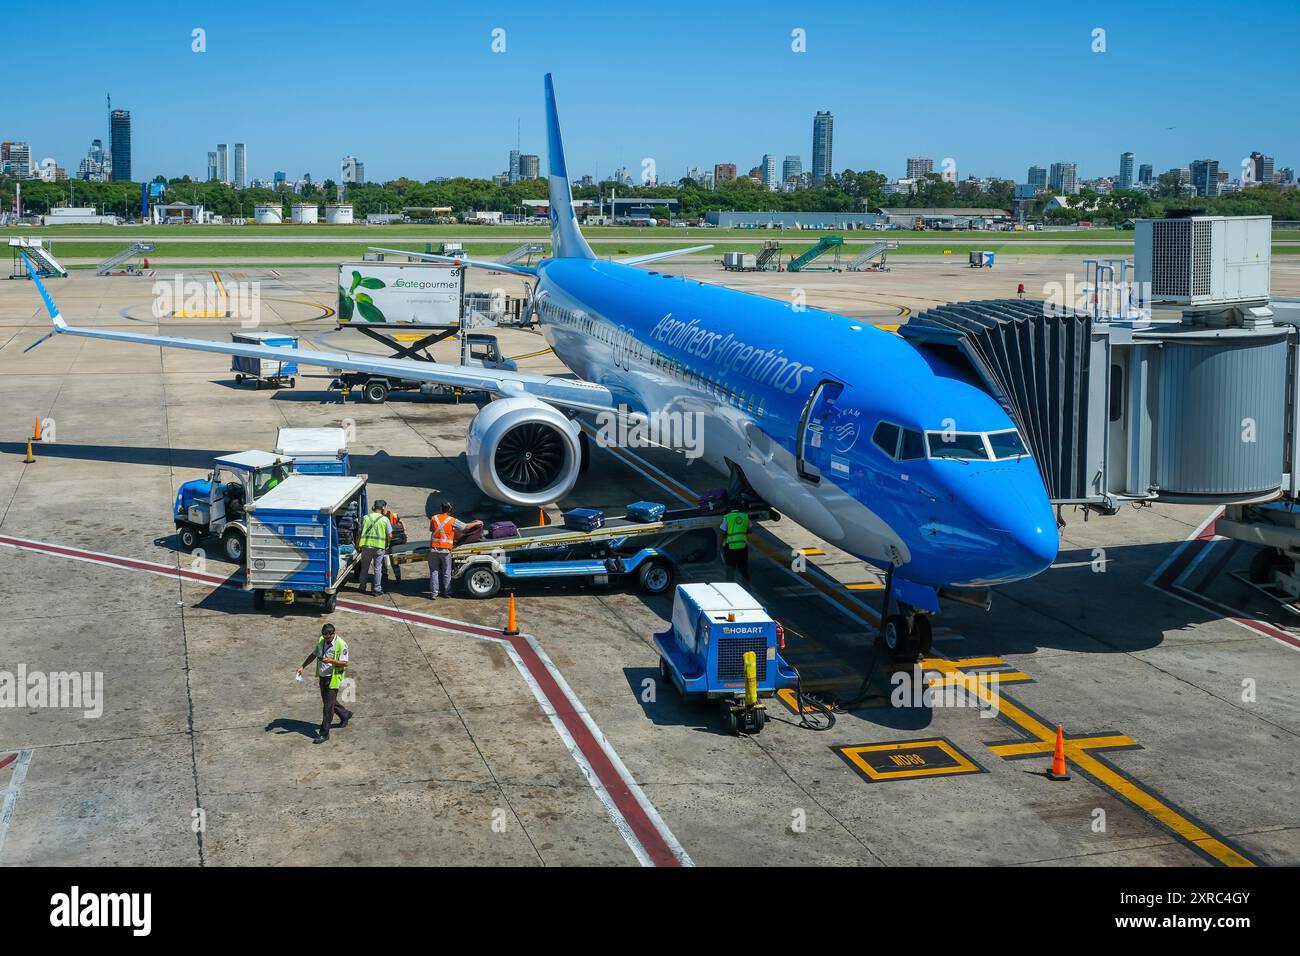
(218, 504)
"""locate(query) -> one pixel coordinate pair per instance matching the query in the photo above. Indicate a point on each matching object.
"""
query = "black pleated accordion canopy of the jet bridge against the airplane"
(1039, 367)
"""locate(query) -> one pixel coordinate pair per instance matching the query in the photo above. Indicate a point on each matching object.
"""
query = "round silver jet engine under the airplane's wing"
(523, 452)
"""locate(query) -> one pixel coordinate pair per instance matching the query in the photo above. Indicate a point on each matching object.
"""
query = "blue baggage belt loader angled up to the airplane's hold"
(651, 553)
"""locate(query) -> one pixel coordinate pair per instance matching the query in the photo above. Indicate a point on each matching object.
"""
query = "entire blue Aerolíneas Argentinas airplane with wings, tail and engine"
(876, 447)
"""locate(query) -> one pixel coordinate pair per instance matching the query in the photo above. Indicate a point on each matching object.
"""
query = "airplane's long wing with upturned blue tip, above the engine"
(567, 393)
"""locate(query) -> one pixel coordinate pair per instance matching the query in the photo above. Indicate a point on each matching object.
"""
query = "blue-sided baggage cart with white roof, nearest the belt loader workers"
(294, 552)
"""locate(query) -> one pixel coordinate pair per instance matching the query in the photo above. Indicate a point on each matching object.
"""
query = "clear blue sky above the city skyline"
(417, 90)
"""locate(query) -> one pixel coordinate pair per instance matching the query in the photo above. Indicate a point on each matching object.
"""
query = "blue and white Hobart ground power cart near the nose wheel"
(723, 647)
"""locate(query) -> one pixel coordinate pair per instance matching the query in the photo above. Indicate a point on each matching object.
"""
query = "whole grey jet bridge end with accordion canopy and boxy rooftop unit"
(1119, 403)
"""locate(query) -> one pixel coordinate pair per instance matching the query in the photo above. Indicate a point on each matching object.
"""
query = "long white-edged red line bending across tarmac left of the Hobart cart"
(565, 706)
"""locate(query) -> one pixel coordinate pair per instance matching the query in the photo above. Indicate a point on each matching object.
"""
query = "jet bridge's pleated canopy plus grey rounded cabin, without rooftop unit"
(1180, 410)
